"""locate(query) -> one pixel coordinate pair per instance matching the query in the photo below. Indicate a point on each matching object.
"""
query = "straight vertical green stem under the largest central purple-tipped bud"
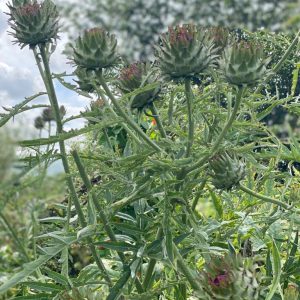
(189, 100)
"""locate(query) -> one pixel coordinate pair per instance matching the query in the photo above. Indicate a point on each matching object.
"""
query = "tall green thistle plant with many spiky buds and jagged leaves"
(139, 197)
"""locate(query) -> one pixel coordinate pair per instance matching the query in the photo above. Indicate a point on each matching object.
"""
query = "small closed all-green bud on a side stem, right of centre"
(227, 169)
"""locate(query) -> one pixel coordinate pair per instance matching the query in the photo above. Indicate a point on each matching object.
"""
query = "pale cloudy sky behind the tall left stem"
(19, 78)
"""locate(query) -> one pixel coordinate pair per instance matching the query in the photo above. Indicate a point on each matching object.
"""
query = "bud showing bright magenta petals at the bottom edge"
(230, 277)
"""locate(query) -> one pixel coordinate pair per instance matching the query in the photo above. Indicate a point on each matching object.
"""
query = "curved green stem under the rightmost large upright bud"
(223, 133)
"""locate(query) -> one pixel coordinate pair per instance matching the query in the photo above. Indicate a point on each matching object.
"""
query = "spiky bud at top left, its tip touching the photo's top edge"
(33, 23)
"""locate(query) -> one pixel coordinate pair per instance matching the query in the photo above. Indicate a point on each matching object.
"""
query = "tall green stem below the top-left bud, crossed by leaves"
(54, 104)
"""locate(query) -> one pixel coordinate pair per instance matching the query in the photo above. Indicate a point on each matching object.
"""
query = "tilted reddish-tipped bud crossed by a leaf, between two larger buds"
(133, 77)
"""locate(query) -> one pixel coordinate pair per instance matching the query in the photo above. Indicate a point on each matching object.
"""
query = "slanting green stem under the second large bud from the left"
(126, 117)
